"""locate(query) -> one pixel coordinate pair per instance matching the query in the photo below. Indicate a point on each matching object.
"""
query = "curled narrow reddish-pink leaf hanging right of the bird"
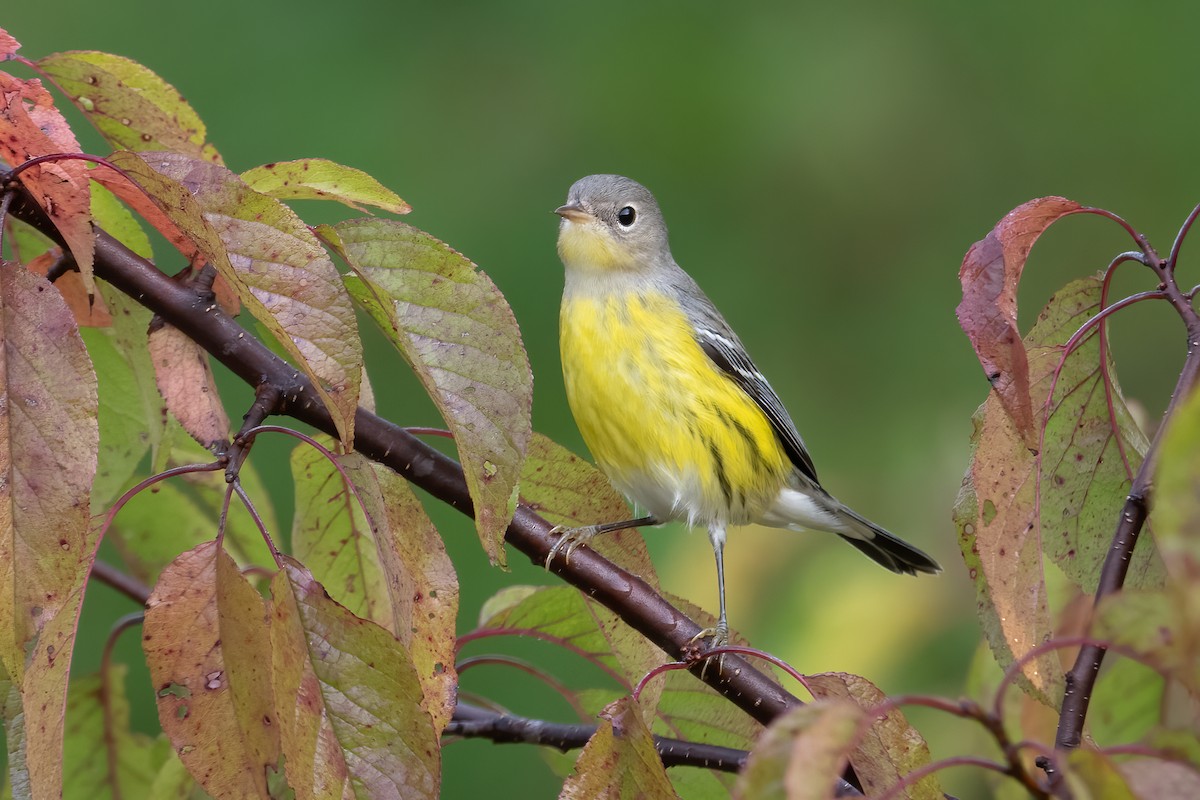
(991, 274)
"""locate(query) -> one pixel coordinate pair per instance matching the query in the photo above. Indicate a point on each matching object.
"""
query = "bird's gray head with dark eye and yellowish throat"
(611, 224)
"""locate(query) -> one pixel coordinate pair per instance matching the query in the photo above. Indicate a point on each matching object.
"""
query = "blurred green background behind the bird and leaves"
(824, 169)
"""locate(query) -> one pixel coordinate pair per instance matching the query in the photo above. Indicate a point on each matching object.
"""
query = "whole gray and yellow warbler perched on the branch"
(668, 400)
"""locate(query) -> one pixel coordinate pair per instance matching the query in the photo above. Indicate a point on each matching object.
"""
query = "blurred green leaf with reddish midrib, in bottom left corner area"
(99, 738)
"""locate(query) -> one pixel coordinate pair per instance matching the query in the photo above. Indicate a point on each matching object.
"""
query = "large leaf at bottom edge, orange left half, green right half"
(357, 727)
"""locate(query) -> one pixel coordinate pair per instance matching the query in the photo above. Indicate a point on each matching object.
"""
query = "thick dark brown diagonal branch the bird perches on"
(629, 597)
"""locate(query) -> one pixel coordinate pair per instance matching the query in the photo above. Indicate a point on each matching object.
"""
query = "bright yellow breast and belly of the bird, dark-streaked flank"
(671, 431)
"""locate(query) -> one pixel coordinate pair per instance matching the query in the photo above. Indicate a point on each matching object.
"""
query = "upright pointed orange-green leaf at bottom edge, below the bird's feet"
(620, 761)
